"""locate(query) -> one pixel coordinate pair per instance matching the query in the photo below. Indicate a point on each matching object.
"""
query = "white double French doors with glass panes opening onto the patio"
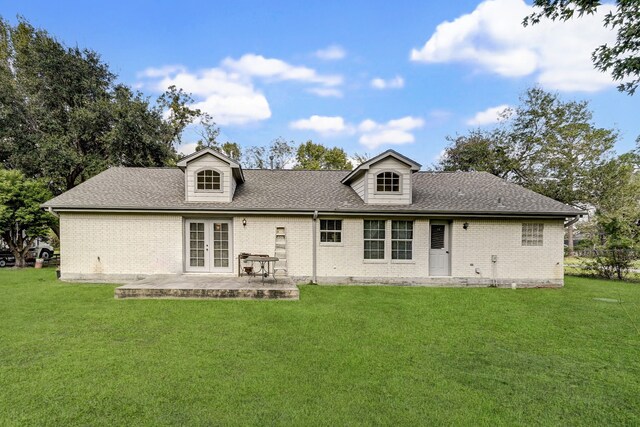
(208, 246)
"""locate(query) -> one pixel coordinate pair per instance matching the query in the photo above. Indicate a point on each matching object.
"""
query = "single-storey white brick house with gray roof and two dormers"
(383, 222)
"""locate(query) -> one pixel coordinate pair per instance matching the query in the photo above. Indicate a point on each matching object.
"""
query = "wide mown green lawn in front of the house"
(71, 354)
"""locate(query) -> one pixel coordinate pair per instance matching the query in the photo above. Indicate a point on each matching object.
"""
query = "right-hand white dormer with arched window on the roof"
(384, 179)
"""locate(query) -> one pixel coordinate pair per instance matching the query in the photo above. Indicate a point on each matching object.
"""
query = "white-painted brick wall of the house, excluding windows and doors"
(93, 245)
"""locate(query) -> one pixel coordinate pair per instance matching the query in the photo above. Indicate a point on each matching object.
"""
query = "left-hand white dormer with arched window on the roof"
(210, 176)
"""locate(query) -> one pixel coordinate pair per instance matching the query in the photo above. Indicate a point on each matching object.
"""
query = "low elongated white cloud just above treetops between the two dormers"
(372, 134)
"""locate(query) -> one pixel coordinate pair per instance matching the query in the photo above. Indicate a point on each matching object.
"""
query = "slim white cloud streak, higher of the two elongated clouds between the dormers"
(258, 66)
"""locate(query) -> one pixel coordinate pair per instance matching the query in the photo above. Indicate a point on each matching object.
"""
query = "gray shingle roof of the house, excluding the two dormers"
(466, 193)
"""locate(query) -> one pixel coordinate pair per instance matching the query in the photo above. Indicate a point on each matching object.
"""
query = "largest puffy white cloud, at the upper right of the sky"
(492, 38)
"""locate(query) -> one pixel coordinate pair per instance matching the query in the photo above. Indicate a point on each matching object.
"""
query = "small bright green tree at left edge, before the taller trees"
(21, 218)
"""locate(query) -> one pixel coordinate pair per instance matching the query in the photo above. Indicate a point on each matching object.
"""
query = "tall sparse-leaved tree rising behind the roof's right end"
(555, 147)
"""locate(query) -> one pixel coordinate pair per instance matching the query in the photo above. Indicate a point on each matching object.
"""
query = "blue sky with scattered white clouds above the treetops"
(362, 75)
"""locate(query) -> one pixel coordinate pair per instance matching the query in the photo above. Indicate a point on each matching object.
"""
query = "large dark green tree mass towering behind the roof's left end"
(63, 117)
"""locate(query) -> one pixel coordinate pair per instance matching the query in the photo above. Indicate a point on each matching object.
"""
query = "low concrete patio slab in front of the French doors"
(207, 286)
